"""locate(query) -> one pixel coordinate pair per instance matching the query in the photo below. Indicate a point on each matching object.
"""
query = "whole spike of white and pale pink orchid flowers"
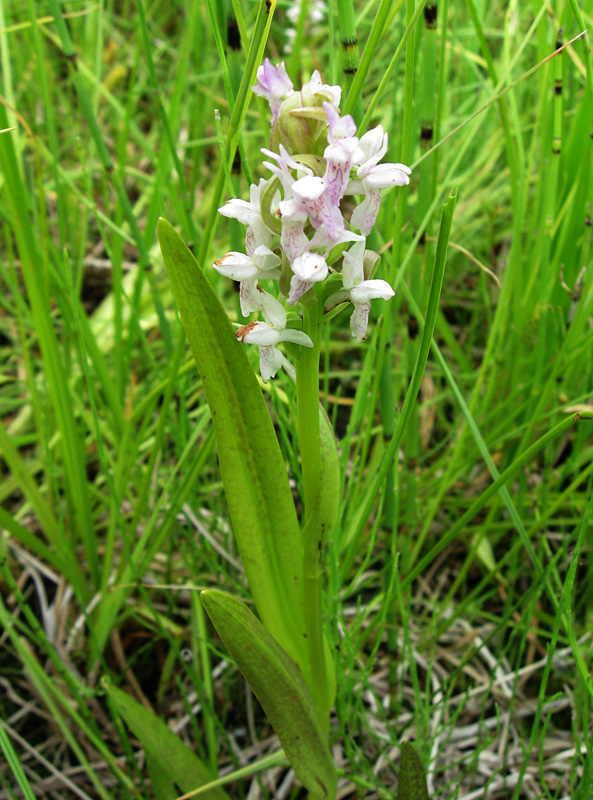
(296, 230)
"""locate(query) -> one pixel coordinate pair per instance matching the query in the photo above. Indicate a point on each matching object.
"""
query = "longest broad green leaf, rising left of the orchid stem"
(253, 471)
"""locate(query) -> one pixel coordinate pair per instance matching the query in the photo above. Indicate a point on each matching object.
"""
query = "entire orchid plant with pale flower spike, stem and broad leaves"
(305, 260)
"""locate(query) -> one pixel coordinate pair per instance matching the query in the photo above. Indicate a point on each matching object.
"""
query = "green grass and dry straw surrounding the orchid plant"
(469, 635)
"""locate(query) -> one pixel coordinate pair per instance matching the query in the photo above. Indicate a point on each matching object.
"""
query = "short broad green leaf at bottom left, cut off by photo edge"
(172, 766)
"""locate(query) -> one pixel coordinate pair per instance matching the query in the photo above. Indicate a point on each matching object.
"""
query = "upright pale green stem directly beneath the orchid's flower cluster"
(307, 381)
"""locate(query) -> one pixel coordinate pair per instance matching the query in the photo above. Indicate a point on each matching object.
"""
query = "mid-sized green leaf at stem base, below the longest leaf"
(279, 687)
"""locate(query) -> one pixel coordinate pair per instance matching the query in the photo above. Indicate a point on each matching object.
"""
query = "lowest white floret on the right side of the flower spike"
(358, 291)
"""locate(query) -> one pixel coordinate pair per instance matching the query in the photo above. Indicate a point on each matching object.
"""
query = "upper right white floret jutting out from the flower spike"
(371, 177)
